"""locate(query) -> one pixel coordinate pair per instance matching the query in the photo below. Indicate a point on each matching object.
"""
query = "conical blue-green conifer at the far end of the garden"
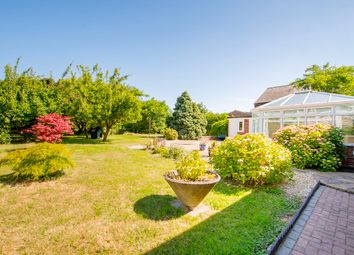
(187, 118)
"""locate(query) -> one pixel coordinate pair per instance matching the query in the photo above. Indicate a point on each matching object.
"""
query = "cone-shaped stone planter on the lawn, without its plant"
(189, 193)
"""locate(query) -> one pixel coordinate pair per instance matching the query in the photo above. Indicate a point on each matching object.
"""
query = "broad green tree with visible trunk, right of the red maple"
(95, 98)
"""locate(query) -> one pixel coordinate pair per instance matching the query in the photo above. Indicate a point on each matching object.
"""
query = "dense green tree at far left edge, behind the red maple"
(23, 97)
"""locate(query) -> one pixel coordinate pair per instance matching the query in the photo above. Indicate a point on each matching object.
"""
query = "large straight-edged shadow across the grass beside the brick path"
(248, 226)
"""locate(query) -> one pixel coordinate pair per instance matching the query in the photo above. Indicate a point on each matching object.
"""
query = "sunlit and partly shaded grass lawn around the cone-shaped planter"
(115, 201)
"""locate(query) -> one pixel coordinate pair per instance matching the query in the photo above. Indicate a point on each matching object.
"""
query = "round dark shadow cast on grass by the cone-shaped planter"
(157, 207)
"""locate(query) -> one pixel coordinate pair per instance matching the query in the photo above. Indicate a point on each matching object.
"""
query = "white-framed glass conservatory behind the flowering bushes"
(306, 107)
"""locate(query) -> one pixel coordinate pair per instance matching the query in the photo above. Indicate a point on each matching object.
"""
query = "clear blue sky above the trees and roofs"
(224, 53)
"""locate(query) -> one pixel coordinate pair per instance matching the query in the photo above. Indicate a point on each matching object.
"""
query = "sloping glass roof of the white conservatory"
(307, 98)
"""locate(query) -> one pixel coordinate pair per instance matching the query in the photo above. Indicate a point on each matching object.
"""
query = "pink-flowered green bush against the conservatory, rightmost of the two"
(317, 146)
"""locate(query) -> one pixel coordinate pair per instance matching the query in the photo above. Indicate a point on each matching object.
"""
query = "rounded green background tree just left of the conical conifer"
(154, 116)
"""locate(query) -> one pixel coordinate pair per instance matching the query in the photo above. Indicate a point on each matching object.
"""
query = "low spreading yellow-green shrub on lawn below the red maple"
(41, 161)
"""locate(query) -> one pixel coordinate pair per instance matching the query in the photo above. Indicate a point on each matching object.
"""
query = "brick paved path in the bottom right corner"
(326, 226)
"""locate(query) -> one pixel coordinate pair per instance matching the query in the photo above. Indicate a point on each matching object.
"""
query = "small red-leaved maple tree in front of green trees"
(51, 128)
